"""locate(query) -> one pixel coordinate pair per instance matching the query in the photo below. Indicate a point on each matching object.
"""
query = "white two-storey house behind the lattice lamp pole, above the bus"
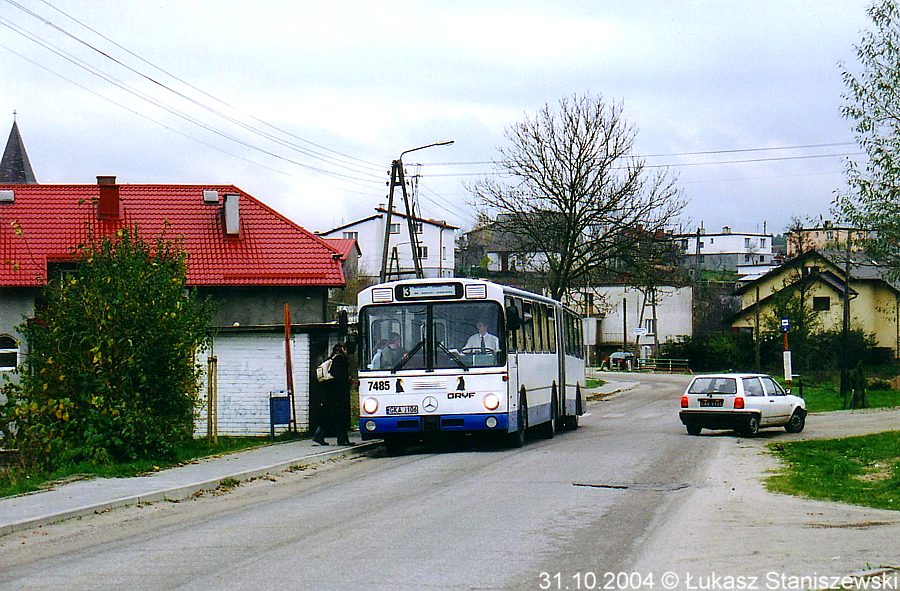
(435, 239)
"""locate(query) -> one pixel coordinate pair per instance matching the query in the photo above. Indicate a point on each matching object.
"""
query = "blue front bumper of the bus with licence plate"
(378, 427)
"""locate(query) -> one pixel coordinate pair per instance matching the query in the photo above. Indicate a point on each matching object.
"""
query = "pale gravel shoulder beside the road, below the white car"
(730, 525)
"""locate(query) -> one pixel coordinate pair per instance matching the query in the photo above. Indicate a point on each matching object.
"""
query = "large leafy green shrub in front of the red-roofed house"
(111, 373)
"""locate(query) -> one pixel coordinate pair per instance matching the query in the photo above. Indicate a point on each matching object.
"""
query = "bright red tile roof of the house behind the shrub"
(44, 222)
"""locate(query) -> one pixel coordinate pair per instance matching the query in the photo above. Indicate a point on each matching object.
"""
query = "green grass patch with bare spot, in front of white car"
(856, 470)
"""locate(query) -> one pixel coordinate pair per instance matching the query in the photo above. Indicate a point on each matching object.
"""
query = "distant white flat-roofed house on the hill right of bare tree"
(725, 250)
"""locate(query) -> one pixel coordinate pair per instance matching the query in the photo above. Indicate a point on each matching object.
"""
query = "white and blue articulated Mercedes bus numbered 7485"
(463, 355)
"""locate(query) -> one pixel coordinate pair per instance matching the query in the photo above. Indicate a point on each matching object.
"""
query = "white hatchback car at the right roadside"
(742, 402)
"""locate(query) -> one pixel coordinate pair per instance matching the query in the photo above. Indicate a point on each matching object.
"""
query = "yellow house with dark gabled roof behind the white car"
(874, 298)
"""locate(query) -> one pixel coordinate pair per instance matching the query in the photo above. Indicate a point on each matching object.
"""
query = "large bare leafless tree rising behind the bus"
(573, 193)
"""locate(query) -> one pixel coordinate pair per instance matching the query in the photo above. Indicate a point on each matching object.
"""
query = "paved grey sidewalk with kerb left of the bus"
(85, 497)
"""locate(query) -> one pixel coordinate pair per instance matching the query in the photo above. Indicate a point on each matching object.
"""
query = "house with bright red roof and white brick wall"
(248, 257)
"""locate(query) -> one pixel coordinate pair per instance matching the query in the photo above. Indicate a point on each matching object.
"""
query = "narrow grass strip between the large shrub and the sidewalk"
(15, 480)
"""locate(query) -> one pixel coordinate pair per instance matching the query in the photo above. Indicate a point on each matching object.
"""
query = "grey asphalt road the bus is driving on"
(467, 516)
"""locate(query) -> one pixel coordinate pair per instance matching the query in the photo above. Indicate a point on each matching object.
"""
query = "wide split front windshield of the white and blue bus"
(426, 336)
